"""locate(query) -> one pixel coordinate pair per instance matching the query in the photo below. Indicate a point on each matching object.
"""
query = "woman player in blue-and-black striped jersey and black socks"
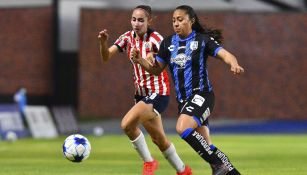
(186, 53)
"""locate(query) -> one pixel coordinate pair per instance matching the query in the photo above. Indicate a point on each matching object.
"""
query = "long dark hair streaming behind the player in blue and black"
(197, 26)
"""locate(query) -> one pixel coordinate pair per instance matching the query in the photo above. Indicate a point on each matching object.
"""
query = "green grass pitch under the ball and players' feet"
(114, 155)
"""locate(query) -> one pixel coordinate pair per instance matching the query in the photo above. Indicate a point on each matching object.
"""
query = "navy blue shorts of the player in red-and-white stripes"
(159, 102)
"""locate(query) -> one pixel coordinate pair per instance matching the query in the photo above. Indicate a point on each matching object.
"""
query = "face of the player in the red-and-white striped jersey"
(139, 22)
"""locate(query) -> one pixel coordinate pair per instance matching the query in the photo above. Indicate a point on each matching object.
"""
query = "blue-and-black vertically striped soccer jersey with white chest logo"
(187, 60)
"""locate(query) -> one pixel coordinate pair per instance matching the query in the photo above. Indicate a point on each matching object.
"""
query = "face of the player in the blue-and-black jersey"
(181, 23)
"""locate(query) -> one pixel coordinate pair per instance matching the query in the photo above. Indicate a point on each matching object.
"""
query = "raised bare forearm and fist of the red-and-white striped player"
(106, 52)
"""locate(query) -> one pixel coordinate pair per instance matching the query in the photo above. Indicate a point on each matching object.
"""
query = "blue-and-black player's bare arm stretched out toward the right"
(231, 60)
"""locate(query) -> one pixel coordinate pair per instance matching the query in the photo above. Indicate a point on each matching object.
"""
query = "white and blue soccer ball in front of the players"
(76, 148)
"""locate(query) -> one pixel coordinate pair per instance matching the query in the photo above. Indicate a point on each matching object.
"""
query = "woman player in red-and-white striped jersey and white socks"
(151, 91)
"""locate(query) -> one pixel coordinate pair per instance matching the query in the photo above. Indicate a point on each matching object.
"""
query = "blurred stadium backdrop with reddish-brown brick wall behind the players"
(50, 48)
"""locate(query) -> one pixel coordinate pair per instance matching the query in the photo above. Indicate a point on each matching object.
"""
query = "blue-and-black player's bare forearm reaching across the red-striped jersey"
(149, 64)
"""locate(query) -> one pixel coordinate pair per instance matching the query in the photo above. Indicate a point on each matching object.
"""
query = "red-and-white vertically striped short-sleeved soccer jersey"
(144, 82)
